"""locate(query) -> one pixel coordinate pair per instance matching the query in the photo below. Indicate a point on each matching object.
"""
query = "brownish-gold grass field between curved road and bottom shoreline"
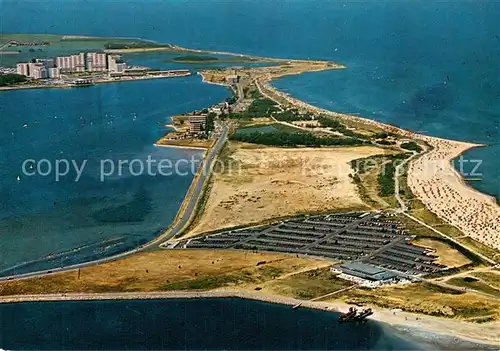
(166, 270)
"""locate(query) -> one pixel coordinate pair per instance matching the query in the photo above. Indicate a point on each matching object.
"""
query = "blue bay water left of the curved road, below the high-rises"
(84, 218)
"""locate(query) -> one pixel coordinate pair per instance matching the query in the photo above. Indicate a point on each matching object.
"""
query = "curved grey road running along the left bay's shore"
(177, 228)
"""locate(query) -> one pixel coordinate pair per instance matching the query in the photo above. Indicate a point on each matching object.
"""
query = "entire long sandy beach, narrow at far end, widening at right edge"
(432, 177)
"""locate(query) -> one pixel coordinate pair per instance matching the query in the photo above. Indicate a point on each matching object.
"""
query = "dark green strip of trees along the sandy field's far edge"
(282, 138)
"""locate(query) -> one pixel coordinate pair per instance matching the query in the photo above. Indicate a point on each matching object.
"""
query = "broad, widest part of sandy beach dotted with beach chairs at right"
(435, 181)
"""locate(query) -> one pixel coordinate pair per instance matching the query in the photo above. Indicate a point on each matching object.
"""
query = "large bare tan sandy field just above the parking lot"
(269, 183)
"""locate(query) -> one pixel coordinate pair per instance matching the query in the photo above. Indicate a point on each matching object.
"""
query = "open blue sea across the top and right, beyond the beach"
(428, 66)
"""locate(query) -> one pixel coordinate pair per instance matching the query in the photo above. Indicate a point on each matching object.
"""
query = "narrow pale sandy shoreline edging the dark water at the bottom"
(431, 327)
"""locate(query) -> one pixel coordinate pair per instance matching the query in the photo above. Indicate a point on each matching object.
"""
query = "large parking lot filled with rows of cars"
(365, 237)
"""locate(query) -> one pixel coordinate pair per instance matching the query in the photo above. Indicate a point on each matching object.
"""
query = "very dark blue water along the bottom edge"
(196, 324)
